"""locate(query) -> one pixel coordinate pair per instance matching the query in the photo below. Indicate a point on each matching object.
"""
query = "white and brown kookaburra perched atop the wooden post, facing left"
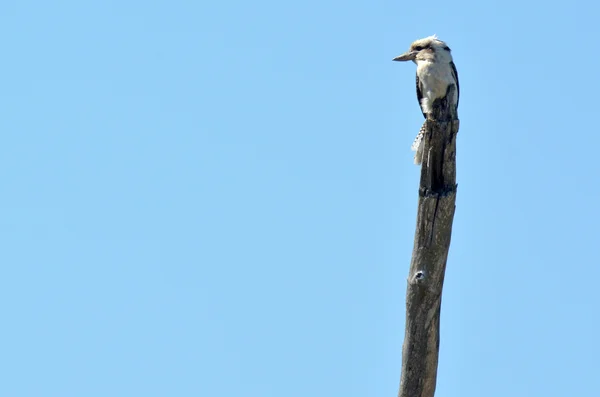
(435, 73)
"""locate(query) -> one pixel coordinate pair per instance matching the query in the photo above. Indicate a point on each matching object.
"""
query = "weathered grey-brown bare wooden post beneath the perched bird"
(437, 196)
